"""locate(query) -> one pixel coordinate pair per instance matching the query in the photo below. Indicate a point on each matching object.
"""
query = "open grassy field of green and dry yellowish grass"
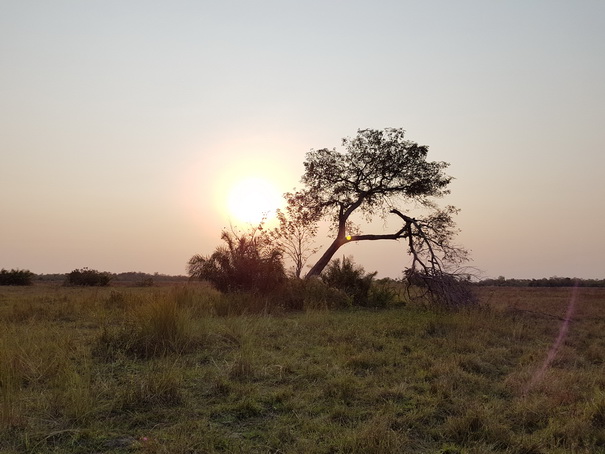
(169, 370)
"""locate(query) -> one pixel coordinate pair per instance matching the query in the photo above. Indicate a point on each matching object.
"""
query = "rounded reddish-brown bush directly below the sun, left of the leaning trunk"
(248, 261)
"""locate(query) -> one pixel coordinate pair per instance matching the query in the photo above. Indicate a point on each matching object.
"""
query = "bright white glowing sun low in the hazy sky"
(252, 199)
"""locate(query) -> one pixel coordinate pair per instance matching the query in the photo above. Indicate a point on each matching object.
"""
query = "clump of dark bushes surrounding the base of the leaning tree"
(249, 270)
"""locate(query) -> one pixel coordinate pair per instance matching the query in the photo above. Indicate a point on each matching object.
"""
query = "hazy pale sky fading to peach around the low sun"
(126, 124)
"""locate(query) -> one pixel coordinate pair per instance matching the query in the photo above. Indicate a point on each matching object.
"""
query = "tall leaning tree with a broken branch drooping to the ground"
(378, 172)
